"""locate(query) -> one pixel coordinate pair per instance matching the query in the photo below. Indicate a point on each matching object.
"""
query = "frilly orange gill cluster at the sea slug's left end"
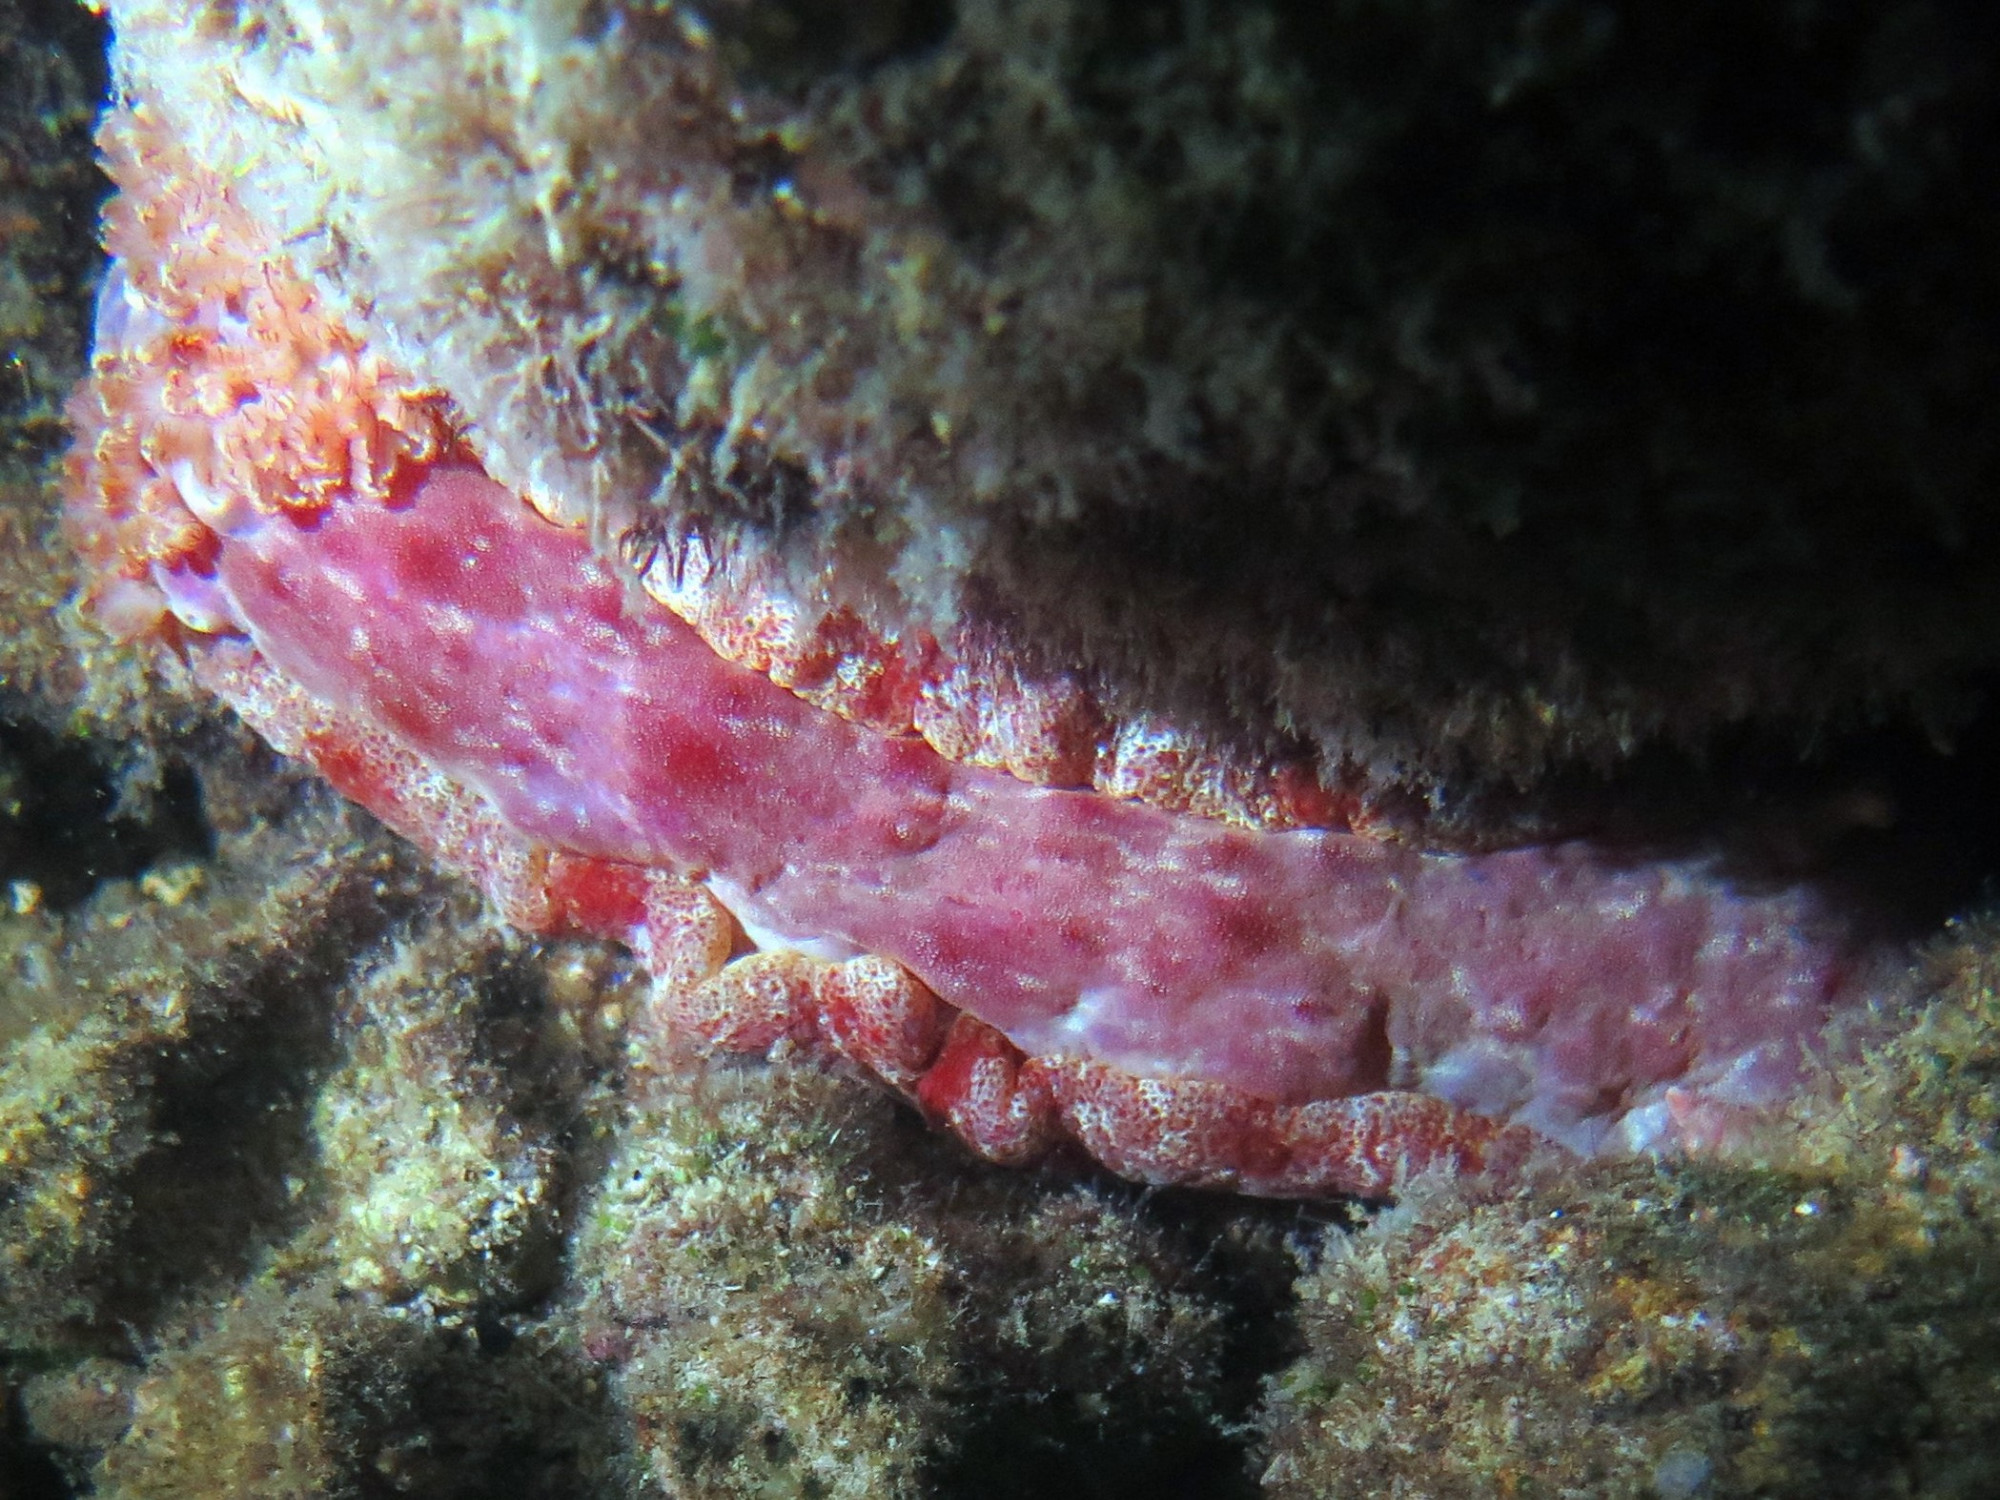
(221, 385)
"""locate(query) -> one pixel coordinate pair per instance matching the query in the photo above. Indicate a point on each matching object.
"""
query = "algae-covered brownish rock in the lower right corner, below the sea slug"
(1815, 1327)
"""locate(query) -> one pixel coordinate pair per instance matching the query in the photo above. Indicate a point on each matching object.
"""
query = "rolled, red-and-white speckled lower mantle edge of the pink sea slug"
(965, 1075)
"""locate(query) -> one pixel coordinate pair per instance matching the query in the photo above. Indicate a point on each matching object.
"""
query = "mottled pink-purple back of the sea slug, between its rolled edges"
(1543, 987)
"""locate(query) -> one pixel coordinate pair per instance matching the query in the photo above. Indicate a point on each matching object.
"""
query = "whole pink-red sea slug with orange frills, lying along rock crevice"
(1279, 1011)
